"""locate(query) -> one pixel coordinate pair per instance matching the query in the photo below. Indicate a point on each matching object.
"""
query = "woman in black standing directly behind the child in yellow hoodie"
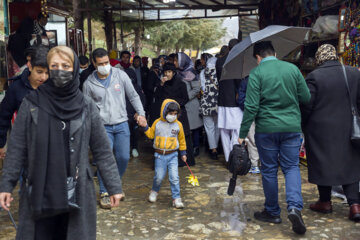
(174, 89)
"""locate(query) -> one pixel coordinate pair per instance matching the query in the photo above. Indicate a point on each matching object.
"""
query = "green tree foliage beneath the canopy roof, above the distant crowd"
(190, 34)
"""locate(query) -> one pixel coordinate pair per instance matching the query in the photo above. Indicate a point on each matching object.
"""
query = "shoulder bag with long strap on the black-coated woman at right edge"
(355, 128)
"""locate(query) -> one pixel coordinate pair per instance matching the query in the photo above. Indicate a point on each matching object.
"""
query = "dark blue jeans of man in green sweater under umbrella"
(283, 149)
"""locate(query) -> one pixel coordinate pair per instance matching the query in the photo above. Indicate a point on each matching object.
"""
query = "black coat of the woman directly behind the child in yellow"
(174, 89)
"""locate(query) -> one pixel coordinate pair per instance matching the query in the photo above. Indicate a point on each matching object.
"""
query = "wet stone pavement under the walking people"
(209, 212)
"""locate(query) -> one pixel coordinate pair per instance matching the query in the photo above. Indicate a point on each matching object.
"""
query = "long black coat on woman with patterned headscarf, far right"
(326, 120)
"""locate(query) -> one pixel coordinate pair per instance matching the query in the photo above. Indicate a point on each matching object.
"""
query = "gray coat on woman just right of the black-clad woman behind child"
(193, 106)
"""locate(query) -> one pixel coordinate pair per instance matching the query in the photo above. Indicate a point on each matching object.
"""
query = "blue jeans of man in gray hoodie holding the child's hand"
(119, 136)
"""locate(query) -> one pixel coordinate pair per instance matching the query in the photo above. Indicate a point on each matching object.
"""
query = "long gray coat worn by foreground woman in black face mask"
(21, 153)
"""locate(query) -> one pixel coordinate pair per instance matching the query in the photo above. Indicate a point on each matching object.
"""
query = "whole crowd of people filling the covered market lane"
(65, 104)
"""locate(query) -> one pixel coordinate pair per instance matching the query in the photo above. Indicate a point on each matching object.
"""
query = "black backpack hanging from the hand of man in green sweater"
(239, 164)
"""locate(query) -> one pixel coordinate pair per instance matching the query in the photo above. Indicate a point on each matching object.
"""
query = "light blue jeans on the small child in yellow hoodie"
(162, 163)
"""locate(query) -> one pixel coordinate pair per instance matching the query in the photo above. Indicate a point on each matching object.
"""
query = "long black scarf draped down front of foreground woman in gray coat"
(57, 107)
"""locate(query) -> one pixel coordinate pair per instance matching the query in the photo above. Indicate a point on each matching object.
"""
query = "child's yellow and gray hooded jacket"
(168, 136)
